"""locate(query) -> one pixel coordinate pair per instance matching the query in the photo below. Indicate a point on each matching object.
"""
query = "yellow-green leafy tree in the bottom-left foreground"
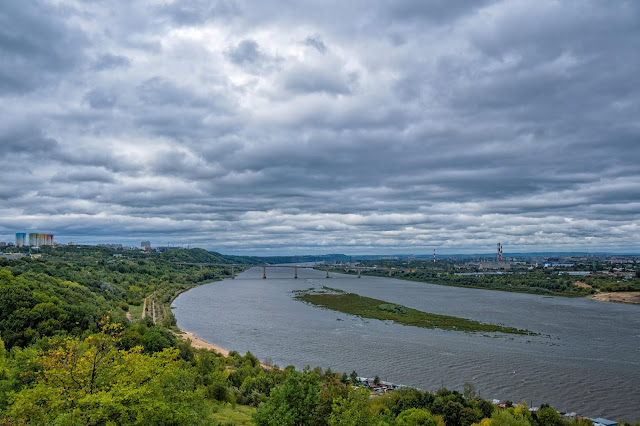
(91, 381)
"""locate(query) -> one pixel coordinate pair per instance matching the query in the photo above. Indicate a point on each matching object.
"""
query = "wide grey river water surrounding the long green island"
(586, 359)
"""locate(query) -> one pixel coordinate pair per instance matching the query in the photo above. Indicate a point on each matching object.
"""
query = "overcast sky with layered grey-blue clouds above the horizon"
(291, 127)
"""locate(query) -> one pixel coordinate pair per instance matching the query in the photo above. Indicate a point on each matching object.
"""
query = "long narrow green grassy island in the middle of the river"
(366, 307)
